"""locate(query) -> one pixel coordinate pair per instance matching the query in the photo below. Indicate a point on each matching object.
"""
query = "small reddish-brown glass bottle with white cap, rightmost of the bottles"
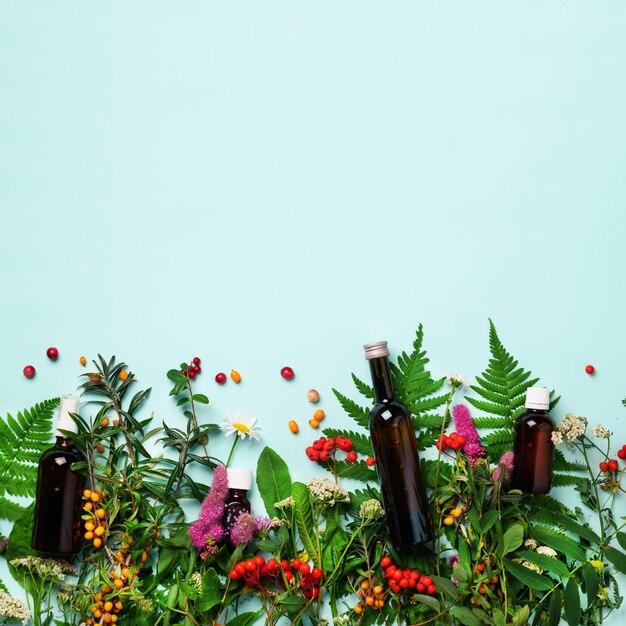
(534, 450)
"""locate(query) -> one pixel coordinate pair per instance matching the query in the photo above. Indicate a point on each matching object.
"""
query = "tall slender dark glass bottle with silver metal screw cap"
(397, 461)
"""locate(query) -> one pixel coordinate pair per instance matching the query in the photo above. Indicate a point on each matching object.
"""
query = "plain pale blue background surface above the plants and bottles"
(275, 183)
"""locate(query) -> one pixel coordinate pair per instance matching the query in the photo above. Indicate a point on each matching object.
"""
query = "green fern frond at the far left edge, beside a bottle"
(22, 441)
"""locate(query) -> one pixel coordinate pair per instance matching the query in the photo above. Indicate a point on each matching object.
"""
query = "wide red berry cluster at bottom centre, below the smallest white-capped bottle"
(258, 572)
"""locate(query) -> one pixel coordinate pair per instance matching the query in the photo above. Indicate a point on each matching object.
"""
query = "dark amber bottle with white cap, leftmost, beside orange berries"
(59, 490)
